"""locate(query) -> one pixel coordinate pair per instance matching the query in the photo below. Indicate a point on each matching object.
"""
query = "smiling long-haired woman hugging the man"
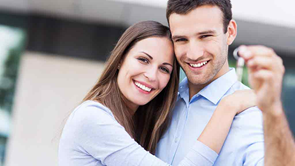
(128, 110)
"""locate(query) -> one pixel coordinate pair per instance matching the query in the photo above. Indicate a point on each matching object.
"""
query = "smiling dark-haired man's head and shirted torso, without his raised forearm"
(202, 31)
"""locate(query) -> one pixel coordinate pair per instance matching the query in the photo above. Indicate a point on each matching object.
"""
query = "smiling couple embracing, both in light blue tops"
(139, 114)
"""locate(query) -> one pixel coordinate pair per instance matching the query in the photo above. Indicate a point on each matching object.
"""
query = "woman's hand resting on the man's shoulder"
(239, 101)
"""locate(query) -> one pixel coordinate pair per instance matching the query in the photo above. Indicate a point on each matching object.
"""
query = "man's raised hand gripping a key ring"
(266, 72)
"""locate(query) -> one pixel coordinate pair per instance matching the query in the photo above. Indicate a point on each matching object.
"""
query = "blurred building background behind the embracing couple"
(53, 51)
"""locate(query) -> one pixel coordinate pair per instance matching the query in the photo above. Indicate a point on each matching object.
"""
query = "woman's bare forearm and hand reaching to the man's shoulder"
(218, 127)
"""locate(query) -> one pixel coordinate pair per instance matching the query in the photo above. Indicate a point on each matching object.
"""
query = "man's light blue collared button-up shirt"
(244, 144)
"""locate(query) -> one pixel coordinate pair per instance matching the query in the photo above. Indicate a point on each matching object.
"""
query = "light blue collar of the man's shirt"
(212, 92)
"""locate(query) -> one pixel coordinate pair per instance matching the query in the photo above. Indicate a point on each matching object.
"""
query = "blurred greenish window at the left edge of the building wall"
(11, 46)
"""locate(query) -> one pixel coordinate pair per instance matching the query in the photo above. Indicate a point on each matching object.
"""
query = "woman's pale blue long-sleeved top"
(93, 137)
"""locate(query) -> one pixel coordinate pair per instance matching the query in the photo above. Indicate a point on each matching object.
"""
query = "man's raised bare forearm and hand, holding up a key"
(266, 72)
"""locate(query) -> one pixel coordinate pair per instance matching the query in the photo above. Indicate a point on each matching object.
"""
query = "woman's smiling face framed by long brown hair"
(146, 70)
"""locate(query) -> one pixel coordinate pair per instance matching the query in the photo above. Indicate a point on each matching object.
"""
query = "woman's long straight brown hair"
(150, 121)
